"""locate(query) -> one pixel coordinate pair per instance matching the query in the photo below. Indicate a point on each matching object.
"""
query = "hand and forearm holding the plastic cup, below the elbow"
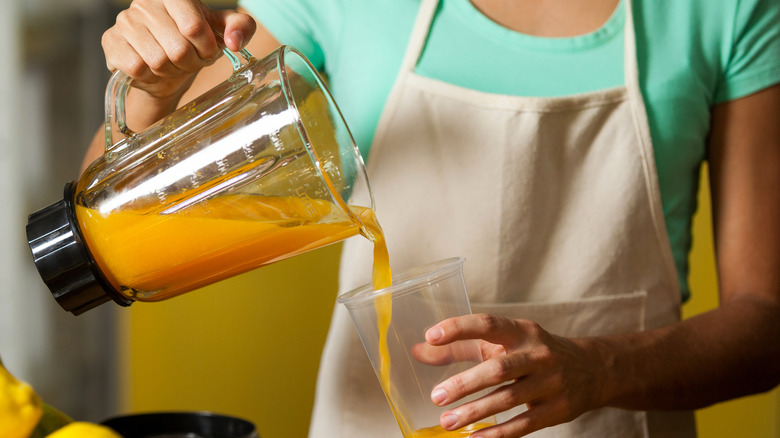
(726, 353)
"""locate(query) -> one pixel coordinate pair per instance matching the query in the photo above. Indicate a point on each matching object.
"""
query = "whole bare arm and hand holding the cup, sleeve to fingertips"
(726, 353)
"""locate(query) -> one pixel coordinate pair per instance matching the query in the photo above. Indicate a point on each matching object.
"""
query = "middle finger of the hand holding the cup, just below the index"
(492, 372)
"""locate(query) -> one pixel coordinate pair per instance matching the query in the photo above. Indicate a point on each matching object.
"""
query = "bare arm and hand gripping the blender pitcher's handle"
(169, 49)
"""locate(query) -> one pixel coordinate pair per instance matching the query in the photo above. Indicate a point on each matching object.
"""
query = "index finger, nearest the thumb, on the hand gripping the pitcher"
(191, 20)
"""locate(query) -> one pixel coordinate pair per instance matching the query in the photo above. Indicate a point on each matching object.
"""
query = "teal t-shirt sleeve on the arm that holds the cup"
(753, 62)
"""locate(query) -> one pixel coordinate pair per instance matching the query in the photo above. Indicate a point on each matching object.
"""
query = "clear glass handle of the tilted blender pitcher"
(116, 94)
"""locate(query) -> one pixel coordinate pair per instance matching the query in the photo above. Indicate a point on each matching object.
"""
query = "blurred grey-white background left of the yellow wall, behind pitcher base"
(51, 85)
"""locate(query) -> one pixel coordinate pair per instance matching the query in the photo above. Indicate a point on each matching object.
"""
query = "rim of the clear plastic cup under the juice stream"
(405, 282)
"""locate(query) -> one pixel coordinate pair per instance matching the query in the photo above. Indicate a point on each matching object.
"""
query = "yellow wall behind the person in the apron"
(250, 347)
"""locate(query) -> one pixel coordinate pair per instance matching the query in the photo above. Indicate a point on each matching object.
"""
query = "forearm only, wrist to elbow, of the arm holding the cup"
(726, 353)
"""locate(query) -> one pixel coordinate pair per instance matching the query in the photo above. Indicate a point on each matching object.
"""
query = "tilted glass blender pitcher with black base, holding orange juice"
(256, 170)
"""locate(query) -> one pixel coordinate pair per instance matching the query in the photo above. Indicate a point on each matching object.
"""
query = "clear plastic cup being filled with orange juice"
(420, 297)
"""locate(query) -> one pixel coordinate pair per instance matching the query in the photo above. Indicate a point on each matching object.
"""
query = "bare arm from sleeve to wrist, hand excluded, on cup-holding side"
(733, 350)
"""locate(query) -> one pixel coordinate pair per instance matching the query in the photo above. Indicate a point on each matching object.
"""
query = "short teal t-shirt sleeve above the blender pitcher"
(297, 23)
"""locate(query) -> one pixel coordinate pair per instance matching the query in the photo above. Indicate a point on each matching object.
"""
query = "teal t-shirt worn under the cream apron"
(692, 54)
